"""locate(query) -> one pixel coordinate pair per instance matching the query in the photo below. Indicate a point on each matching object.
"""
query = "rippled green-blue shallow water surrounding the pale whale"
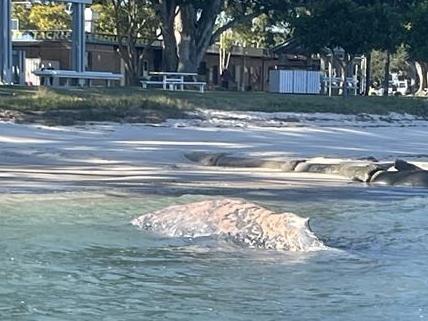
(76, 257)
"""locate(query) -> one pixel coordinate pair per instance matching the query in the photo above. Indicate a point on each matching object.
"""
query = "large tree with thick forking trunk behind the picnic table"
(189, 26)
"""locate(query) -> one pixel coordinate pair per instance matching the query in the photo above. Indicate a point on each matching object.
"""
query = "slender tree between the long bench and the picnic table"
(132, 21)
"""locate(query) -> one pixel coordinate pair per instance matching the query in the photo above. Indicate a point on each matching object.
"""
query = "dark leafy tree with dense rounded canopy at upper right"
(357, 26)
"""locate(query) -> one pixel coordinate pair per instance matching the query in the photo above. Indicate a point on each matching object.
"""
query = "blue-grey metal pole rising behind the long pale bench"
(78, 47)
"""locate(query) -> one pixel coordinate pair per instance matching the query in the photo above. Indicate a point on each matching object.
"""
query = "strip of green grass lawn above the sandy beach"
(67, 106)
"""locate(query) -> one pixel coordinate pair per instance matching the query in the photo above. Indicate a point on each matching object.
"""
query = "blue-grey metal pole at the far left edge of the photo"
(5, 42)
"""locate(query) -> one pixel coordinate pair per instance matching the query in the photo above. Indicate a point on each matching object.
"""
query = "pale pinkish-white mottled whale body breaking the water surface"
(241, 222)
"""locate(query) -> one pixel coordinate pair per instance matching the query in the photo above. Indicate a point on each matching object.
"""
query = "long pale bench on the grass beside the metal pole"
(49, 74)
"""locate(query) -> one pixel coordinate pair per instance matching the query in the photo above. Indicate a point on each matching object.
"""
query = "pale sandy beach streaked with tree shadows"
(125, 158)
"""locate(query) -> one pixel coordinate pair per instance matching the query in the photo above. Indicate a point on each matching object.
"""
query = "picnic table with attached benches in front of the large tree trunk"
(175, 81)
